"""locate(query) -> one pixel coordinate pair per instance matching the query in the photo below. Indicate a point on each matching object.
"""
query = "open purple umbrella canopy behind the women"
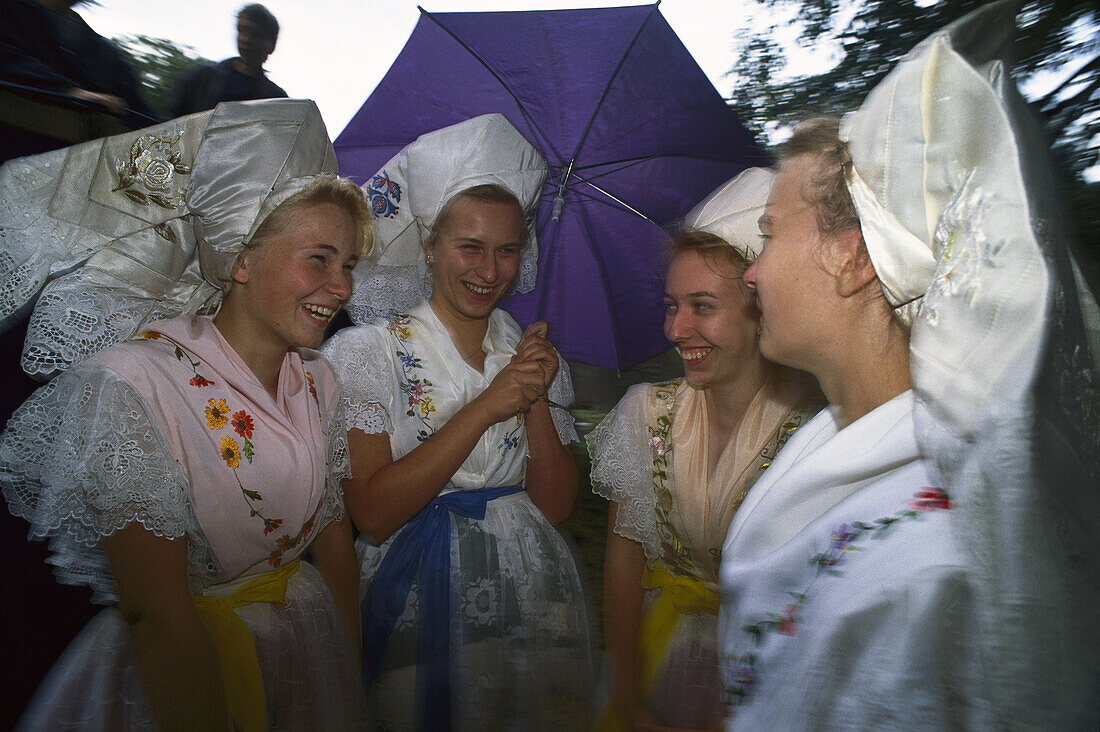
(634, 133)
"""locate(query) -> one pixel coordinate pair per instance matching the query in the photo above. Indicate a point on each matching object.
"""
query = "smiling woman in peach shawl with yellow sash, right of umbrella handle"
(677, 458)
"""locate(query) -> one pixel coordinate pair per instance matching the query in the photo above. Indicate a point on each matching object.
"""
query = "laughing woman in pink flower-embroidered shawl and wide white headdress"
(184, 473)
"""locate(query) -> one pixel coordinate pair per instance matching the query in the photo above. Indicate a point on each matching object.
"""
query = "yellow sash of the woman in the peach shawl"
(680, 596)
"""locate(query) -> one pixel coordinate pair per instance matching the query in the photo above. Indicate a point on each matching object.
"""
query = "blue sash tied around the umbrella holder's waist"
(423, 550)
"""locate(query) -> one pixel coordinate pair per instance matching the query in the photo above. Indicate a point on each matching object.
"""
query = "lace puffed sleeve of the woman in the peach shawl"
(622, 468)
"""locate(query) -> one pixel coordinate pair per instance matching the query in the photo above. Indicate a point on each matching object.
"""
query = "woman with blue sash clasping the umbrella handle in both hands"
(474, 615)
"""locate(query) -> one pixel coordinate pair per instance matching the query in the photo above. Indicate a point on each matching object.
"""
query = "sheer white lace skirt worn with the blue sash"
(520, 646)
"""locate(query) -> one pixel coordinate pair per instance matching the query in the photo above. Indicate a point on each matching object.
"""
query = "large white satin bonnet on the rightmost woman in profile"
(949, 215)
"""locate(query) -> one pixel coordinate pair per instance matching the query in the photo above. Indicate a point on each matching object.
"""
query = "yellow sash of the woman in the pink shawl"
(237, 651)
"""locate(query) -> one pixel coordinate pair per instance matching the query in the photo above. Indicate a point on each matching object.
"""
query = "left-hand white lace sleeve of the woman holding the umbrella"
(365, 368)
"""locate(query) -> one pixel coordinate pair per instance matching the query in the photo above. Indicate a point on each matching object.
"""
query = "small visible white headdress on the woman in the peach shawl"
(733, 211)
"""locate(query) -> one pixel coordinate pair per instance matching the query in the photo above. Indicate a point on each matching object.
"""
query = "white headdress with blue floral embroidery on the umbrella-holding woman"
(410, 192)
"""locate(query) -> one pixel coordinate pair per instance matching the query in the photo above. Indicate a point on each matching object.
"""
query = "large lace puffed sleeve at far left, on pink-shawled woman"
(83, 458)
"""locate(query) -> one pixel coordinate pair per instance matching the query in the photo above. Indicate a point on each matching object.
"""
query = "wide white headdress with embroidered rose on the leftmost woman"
(120, 232)
